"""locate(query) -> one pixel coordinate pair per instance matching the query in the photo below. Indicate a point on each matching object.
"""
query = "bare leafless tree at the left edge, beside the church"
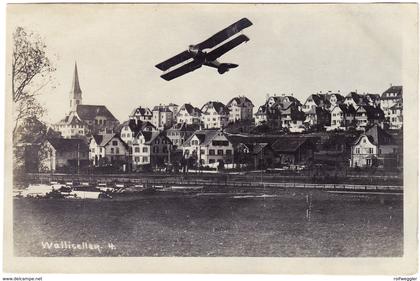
(31, 71)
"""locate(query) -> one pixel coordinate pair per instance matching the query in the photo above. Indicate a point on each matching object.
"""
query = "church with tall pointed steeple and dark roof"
(84, 120)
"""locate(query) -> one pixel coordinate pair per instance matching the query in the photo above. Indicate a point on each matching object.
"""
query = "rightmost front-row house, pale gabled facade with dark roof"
(374, 148)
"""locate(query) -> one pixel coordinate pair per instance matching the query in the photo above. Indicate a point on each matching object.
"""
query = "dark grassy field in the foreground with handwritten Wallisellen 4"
(289, 224)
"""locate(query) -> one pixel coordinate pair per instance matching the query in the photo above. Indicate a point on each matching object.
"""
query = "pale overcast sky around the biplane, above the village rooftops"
(293, 49)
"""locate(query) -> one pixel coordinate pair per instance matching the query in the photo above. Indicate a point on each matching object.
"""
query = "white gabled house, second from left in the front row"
(107, 148)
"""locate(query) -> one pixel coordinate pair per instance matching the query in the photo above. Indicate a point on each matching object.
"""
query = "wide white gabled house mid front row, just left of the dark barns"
(208, 147)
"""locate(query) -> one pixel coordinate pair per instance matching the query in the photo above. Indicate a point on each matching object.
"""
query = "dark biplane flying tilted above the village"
(197, 55)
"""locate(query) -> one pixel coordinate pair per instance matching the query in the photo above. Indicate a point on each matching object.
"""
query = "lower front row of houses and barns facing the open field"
(150, 149)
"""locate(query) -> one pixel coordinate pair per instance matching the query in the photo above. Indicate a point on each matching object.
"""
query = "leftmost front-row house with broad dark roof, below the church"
(61, 154)
